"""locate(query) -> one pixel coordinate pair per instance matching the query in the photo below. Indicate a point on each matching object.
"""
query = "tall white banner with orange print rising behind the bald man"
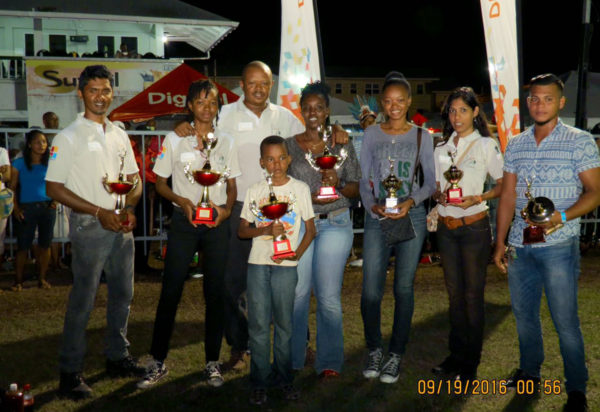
(299, 57)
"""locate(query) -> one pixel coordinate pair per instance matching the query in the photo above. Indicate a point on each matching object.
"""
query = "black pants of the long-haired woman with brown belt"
(465, 253)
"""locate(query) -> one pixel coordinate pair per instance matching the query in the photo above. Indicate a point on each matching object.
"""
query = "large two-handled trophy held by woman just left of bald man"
(206, 177)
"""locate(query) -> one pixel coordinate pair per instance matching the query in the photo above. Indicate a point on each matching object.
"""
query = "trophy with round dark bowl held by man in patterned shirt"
(538, 210)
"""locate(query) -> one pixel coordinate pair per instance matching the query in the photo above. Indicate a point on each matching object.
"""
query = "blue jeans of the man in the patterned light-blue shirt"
(555, 269)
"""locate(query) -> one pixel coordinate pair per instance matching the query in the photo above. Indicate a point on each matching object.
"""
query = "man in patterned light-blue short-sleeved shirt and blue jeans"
(561, 163)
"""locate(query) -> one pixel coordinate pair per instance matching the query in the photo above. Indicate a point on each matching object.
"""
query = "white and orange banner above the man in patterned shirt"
(500, 27)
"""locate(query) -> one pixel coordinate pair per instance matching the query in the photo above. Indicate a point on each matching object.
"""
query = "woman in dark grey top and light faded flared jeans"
(322, 266)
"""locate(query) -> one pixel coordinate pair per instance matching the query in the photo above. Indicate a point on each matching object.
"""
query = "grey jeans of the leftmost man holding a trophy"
(95, 249)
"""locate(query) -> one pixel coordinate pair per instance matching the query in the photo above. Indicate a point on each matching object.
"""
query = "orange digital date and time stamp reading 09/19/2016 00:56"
(486, 387)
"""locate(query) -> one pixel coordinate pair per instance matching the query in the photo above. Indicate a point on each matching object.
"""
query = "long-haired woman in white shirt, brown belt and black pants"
(464, 237)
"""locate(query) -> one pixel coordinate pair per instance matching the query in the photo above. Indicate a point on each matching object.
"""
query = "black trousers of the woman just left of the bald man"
(183, 241)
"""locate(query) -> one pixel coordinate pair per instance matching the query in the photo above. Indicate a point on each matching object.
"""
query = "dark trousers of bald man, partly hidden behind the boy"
(236, 324)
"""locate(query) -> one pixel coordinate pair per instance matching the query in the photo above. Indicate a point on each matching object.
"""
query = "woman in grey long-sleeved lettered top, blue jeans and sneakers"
(394, 141)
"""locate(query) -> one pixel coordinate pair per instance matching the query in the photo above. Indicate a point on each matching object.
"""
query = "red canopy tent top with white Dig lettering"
(166, 96)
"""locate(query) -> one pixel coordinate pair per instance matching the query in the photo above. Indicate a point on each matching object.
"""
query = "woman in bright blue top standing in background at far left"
(34, 209)
